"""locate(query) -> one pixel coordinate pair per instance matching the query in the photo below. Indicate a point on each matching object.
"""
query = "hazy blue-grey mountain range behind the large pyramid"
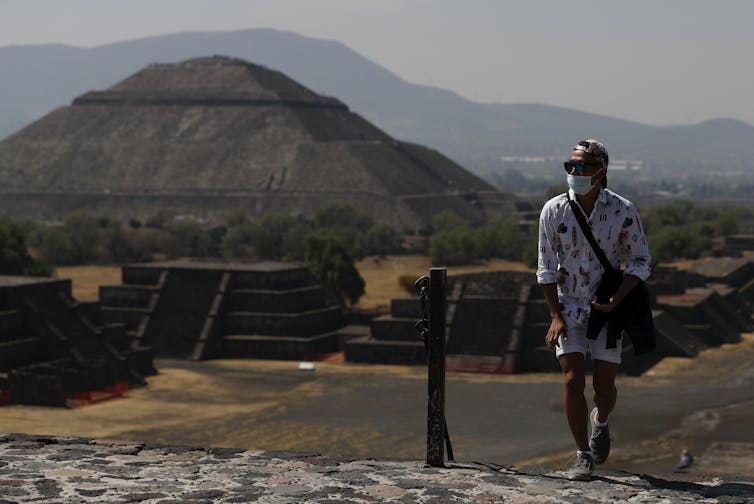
(38, 78)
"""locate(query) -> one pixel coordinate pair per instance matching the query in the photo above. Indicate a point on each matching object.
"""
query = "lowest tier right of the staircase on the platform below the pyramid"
(236, 346)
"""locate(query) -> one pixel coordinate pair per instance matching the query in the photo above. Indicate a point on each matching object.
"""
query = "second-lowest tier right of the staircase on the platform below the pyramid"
(306, 323)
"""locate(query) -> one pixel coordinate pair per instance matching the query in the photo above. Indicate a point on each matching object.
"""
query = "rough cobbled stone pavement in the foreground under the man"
(67, 470)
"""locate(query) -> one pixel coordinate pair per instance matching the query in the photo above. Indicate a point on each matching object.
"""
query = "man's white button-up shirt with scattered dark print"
(566, 257)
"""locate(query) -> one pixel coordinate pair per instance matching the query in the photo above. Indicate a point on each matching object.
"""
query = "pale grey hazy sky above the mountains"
(654, 61)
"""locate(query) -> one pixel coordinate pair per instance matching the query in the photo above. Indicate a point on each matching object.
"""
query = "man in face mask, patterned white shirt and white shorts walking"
(569, 271)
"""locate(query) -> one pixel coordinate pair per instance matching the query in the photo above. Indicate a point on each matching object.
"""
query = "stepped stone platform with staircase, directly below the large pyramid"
(198, 310)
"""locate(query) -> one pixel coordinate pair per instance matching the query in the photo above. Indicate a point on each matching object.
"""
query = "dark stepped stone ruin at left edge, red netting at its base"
(54, 351)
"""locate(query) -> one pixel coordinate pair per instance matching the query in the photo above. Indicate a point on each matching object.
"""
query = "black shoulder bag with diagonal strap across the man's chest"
(632, 315)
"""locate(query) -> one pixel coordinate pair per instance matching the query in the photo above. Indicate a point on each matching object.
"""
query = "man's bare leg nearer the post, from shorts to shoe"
(572, 365)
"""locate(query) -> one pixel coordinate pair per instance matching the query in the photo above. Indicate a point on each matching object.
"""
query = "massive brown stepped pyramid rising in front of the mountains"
(209, 135)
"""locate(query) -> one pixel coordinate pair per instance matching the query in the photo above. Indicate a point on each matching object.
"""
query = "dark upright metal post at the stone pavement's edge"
(436, 368)
